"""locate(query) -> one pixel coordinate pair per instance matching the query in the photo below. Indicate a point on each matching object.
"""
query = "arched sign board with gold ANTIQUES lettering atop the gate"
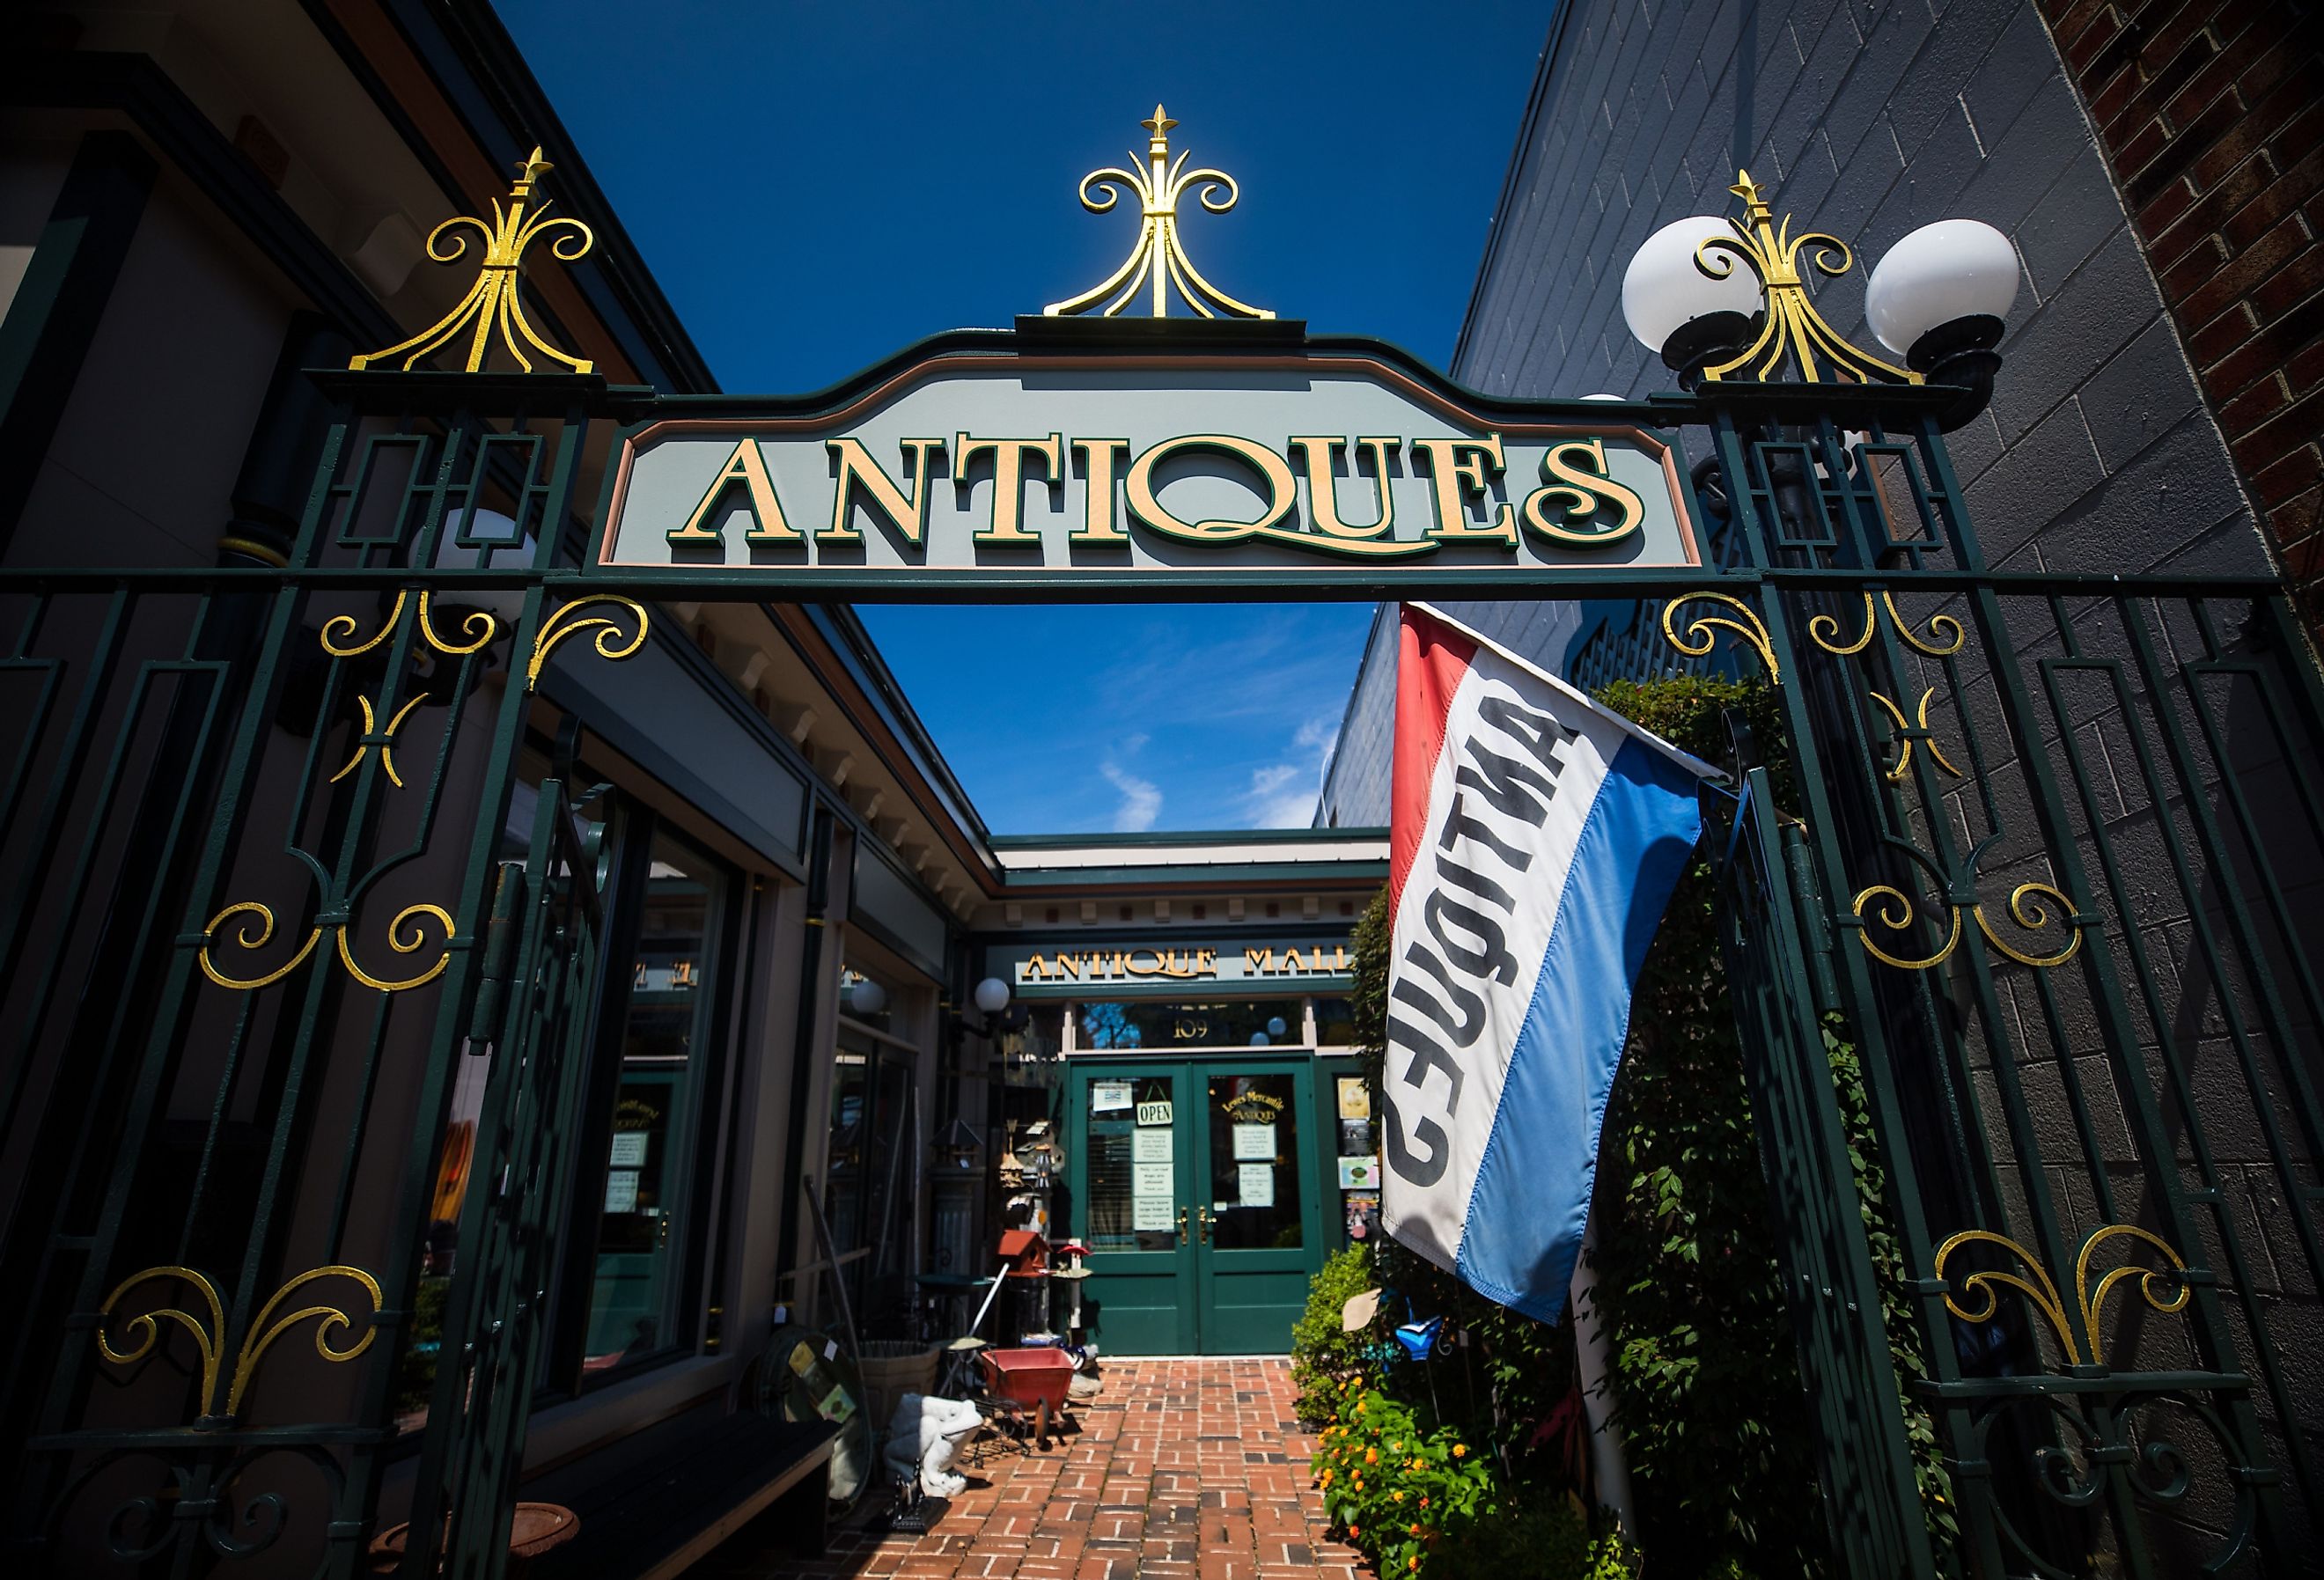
(1221, 468)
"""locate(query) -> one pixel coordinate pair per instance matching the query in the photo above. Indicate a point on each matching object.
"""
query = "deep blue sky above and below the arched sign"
(822, 185)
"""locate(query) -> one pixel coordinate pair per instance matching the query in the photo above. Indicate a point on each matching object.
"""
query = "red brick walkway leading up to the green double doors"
(1179, 1472)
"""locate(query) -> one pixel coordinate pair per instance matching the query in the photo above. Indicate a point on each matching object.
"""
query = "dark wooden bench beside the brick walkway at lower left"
(664, 1498)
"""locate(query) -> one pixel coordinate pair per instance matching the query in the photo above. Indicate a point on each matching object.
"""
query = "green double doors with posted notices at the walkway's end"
(1198, 1188)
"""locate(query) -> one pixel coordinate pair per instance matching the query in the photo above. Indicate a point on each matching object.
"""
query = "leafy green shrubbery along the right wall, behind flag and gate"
(1705, 1367)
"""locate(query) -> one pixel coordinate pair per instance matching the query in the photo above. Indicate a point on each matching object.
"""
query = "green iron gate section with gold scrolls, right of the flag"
(2044, 868)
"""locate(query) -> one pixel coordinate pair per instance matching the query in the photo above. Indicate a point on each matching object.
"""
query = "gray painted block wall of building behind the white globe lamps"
(1867, 122)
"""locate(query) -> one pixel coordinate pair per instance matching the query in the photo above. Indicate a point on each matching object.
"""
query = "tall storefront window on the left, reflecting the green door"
(647, 1209)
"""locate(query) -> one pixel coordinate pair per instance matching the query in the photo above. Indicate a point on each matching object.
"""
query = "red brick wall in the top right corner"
(2214, 122)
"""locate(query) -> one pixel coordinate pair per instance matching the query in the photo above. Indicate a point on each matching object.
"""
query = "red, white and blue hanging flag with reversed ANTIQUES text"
(1535, 840)
